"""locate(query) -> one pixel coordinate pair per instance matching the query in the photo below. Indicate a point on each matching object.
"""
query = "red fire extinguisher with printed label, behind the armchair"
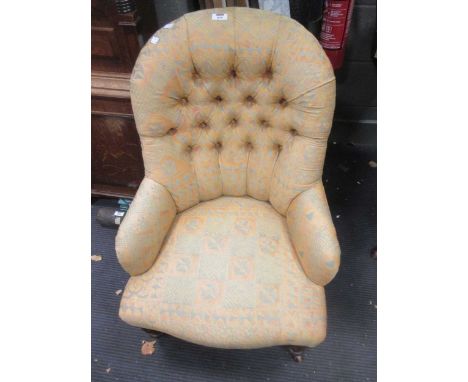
(335, 26)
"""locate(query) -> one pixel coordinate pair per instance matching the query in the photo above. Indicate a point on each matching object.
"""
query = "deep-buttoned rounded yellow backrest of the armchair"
(236, 105)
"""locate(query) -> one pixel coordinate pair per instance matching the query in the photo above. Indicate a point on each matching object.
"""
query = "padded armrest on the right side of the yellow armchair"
(313, 235)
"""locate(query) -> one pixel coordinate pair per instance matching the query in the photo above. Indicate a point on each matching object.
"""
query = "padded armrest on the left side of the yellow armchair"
(144, 227)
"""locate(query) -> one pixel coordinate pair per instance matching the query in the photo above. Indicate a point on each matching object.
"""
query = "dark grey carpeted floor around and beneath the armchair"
(348, 353)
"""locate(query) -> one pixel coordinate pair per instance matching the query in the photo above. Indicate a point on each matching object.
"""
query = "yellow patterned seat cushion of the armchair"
(227, 276)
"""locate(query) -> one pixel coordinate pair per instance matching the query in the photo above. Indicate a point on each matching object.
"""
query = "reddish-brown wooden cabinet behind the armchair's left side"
(118, 31)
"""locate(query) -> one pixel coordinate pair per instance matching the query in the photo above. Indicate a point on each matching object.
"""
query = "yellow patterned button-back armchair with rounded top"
(229, 240)
